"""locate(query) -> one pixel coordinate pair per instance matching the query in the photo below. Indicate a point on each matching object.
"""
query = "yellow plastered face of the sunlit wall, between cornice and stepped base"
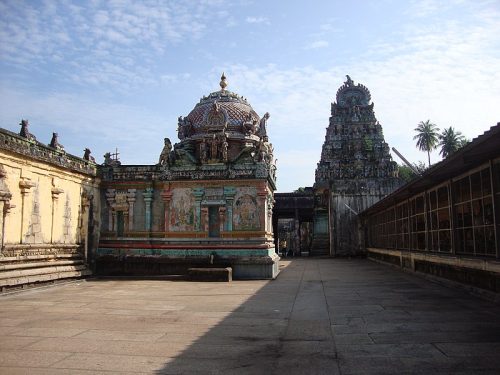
(59, 218)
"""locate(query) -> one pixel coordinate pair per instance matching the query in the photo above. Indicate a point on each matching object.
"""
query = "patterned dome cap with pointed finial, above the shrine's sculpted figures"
(220, 107)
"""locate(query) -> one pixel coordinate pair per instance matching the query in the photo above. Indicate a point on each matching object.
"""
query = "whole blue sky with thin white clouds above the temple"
(118, 73)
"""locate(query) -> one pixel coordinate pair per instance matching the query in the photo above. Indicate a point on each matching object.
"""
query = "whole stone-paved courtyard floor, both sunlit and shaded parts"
(321, 316)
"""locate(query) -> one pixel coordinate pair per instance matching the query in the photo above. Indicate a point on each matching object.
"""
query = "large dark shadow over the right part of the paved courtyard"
(324, 316)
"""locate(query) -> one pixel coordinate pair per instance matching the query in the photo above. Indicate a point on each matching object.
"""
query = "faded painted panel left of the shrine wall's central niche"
(182, 210)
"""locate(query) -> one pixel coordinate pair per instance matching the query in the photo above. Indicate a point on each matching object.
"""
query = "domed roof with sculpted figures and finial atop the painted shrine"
(222, 137)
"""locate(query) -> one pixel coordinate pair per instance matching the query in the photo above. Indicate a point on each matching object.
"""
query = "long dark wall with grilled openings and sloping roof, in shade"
(447, 222)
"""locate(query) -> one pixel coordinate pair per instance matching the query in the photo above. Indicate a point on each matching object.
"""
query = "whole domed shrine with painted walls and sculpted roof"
(207, 202)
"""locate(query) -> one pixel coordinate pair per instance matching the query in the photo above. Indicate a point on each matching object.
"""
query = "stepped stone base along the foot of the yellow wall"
(18, 272)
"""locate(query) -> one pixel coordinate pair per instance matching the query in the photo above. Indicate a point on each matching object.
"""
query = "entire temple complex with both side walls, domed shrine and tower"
(208, 204)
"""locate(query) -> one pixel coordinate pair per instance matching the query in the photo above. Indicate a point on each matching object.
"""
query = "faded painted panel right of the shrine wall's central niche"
(246, 210)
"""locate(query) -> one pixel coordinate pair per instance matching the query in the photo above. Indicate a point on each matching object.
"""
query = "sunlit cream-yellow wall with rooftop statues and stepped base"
(48, 215)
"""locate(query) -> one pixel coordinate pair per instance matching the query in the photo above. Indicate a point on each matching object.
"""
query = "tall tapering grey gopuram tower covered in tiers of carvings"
(355, 171)
